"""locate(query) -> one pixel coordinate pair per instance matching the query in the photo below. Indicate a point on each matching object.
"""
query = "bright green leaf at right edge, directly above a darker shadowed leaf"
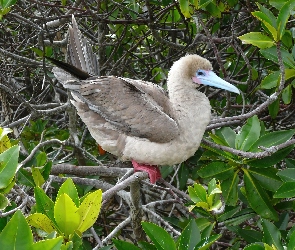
(272, 139)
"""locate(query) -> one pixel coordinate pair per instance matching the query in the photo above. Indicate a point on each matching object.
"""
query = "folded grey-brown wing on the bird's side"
(128, 108)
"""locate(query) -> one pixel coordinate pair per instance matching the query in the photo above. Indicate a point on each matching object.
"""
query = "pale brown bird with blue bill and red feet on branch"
(139, 121)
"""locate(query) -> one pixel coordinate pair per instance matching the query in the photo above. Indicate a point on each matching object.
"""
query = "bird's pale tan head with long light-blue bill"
(195, 69)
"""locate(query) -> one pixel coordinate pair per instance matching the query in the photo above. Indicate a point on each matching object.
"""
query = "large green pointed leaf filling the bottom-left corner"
(17, 234)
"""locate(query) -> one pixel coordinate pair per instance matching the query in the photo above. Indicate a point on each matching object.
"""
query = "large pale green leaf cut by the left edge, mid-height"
(8, 165)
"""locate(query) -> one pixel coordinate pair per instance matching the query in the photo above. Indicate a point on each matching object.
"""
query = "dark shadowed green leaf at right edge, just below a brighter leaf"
(271, 160)
